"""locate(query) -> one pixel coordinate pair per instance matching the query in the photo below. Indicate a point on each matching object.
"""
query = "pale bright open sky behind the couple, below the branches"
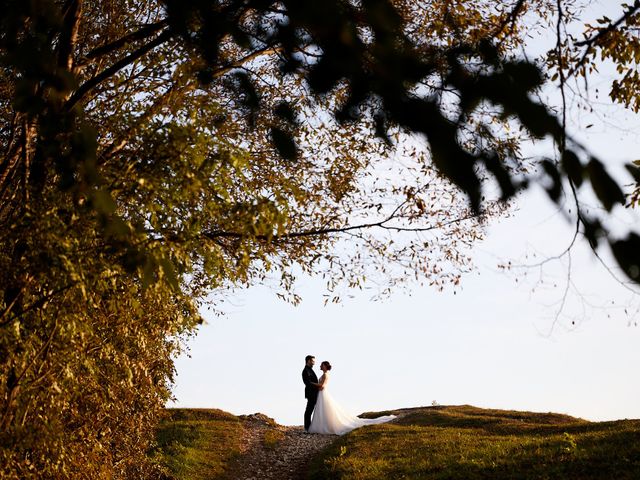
(501, 340)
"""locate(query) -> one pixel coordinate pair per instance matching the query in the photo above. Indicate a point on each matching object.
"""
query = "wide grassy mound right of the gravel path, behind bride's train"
(464, 442)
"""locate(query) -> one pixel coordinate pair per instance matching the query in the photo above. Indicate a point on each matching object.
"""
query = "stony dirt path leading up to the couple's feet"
(272, 451)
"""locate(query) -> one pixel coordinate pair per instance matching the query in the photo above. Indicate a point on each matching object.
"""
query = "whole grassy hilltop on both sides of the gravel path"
(444, 442)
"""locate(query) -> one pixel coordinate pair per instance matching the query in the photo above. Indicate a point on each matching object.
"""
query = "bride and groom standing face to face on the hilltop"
(323, 414)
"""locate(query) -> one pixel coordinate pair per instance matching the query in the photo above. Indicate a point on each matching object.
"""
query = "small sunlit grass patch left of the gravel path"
(197, 443)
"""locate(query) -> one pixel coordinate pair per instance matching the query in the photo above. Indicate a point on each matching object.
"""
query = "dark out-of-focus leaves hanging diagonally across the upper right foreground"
(400, 80)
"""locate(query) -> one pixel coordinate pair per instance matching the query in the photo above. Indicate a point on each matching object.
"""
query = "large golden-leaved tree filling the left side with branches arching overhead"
(155, 151)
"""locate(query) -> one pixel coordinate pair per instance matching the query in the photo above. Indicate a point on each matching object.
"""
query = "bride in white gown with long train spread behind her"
(329, 417)
